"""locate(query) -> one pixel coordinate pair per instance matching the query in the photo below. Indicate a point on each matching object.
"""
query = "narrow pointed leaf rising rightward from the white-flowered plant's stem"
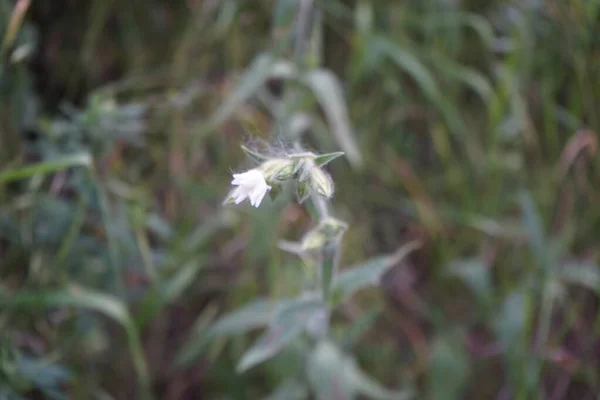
(368, 273)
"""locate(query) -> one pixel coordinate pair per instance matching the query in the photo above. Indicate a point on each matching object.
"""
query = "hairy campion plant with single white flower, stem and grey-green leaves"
(286, 319)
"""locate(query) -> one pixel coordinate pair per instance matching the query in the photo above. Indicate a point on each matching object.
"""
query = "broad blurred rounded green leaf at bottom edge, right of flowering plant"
(449, 369)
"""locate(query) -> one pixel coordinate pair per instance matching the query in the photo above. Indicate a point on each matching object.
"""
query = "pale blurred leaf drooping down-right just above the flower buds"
(329, 93)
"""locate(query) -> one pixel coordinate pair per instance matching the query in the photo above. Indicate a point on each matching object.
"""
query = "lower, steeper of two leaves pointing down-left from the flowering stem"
(288, 323)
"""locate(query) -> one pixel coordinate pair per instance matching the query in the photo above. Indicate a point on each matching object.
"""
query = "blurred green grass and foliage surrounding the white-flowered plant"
(470, 125)
